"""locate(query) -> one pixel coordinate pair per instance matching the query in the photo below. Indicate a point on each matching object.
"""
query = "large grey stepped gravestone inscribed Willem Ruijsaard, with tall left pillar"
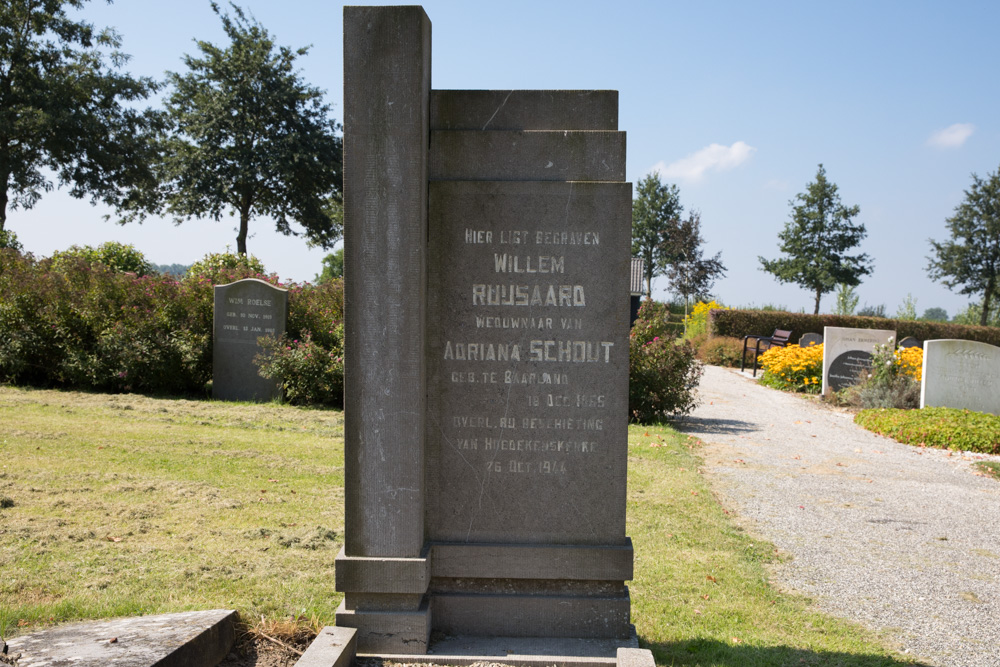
(486, 346)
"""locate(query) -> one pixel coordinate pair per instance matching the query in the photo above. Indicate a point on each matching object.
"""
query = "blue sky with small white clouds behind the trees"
(734, 102)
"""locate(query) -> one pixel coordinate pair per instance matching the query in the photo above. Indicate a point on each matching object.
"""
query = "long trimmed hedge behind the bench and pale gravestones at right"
(739, 323)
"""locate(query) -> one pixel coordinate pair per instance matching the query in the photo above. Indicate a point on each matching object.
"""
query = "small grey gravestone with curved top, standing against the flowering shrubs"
(244, 311)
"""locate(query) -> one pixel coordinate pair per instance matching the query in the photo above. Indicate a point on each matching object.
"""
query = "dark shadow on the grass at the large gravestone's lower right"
(710, 652)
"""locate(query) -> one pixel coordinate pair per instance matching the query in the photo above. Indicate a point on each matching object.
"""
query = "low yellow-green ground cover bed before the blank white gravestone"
(947, 428)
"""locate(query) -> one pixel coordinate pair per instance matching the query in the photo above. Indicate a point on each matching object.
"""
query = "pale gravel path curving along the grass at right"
(901, 539)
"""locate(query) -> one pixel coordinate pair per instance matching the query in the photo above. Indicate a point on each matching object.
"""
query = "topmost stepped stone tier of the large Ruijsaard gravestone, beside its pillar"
(524, 109)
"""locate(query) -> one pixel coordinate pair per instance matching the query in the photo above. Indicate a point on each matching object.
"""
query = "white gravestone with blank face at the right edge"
(961, 374)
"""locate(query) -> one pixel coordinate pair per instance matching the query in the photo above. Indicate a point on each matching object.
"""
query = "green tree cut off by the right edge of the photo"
(970, 259)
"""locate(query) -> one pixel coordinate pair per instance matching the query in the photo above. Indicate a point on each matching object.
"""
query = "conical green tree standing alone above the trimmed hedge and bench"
(816, 241)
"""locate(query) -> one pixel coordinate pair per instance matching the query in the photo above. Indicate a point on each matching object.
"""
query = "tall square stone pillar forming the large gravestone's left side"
(384, 568)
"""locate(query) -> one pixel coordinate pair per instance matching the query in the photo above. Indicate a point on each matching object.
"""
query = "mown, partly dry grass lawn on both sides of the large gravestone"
(116, 505)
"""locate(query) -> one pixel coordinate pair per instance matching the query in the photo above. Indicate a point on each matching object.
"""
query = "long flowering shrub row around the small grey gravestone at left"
(87, 319)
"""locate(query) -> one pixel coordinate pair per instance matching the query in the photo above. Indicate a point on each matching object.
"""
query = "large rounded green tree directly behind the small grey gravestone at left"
(249, 137)
